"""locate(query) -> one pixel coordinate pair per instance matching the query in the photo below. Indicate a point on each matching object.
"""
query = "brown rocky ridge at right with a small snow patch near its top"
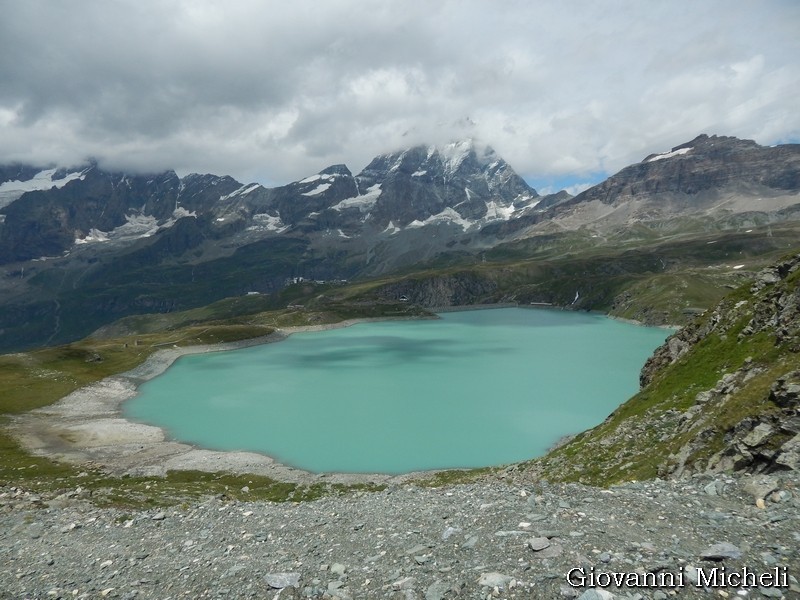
(710, 182)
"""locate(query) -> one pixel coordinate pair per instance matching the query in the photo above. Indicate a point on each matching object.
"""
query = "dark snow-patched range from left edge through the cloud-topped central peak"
(463, 186)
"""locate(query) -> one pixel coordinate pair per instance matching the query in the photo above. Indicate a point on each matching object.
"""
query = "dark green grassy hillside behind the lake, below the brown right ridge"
(664, 281)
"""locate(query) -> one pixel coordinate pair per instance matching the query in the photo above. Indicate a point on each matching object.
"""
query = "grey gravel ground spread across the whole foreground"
(500, 539)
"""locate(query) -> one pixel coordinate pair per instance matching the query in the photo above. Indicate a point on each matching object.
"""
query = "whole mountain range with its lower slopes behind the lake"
(106, 245)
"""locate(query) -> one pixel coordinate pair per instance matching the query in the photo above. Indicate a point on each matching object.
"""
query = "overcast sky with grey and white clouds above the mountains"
(565, 91)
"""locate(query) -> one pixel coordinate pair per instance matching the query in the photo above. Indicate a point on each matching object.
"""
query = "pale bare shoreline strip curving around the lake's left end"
(87, 427)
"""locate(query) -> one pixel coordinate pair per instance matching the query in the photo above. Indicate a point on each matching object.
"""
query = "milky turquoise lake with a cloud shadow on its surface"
(474, 388)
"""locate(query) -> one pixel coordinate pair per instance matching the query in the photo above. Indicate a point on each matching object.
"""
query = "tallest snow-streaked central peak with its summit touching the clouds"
(461, 184)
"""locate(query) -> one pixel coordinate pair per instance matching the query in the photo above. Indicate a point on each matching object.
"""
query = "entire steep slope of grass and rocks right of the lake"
(721, 394)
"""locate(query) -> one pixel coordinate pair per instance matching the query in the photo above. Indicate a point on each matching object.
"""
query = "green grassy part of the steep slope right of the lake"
(643, 437)
